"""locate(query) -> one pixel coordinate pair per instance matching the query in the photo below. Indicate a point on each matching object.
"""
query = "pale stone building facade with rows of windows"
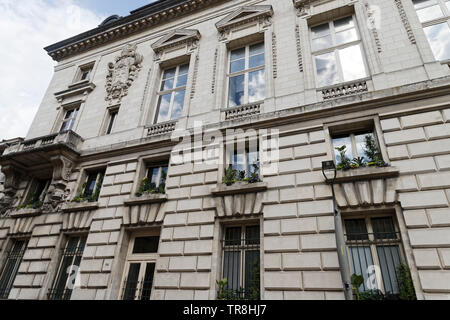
(79, 221)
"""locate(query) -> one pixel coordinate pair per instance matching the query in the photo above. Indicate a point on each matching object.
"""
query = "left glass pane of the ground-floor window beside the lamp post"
(360, 260)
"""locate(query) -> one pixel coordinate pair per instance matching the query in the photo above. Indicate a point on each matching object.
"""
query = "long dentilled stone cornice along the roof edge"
(139, 20)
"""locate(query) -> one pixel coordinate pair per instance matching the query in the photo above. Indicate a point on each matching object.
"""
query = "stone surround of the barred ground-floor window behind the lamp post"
(397, 213)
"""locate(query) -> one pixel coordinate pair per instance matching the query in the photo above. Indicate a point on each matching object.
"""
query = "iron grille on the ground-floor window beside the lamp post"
(368, 251)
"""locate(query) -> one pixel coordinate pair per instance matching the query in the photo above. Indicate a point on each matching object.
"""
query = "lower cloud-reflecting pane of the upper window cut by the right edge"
(439, 38)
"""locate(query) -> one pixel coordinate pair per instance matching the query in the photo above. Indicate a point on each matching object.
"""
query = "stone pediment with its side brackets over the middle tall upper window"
(262, 15)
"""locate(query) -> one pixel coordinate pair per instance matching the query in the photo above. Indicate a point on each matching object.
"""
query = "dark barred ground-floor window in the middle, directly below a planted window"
(241, 262)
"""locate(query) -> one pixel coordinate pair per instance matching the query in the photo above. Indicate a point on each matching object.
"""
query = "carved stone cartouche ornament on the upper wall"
(122, 73)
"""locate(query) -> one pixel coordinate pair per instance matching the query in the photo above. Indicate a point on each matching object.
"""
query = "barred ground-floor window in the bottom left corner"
(13, 261)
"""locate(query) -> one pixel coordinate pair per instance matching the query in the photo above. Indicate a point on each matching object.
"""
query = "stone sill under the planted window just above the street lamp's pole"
(366, 174)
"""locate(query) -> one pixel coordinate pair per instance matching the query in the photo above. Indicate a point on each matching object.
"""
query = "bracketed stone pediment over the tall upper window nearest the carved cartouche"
(177, 39)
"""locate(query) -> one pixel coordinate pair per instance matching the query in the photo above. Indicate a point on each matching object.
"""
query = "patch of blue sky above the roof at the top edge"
(110, 7)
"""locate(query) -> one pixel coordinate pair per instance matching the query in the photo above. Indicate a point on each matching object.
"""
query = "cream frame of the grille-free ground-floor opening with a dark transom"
(128, 256)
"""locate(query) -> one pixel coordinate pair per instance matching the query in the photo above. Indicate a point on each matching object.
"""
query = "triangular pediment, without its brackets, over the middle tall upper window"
(244, 15)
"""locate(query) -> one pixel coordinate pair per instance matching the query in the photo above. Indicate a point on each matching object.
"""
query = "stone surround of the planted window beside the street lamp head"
(369, 122)
